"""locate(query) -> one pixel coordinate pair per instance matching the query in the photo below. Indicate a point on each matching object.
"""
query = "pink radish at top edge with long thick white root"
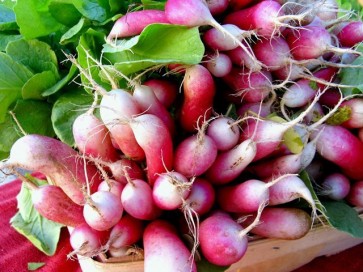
(195, 13)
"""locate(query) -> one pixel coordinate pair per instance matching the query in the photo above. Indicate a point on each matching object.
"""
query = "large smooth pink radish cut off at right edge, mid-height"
(347, 153)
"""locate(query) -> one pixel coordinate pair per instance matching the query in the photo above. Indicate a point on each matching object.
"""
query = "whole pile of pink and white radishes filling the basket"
(166, 159)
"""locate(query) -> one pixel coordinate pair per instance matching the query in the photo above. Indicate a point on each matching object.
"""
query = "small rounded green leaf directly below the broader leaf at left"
(37, 84)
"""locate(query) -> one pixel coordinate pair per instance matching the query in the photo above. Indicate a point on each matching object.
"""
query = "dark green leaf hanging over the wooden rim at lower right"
(344, 218)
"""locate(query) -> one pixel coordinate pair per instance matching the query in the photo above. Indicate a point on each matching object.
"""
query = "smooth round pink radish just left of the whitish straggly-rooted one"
(137, 200)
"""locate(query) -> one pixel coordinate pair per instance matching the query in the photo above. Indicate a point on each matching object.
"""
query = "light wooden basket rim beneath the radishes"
(261, 255)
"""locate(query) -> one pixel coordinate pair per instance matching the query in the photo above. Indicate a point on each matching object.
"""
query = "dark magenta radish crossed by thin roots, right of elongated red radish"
(249, 86)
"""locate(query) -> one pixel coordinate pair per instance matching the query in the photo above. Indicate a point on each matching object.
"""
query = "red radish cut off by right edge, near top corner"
(349, 33)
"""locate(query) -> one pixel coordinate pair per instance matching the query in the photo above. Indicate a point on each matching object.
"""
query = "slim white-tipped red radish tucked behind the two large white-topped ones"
(149, 103)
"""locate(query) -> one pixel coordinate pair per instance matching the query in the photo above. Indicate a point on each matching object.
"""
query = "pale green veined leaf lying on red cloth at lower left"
(41, 232)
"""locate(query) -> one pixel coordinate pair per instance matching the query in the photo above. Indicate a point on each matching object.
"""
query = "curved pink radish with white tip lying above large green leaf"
(132, 23)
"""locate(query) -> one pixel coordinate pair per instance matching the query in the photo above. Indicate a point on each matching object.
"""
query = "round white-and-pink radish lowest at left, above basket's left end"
(86, 241)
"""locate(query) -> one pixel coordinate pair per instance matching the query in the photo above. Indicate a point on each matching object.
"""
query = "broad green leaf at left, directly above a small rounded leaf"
(36, 55)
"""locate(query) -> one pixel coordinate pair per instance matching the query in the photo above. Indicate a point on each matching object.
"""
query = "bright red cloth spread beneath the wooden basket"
(16, 251)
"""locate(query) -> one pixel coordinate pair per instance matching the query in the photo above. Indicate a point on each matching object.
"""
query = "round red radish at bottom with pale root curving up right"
(222, 240)
